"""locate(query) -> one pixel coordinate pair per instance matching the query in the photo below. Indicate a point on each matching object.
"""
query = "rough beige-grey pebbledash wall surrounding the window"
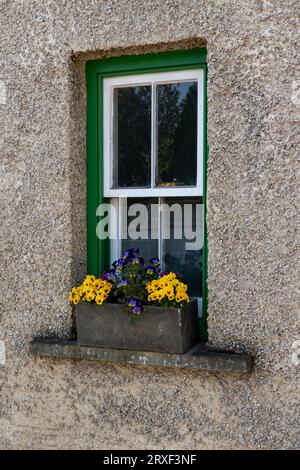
(253, 114)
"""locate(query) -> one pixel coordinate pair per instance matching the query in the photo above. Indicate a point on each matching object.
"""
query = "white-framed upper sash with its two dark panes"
(153, 143)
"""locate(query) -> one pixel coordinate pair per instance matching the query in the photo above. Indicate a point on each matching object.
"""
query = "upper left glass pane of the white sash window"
(132, 137)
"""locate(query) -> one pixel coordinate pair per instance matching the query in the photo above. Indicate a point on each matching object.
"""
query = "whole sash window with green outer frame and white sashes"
(146, 142)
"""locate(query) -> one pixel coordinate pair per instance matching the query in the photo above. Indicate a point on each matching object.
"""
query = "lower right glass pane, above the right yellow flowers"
(183, 259)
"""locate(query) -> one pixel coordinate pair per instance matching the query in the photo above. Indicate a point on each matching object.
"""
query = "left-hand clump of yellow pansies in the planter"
(91, 290)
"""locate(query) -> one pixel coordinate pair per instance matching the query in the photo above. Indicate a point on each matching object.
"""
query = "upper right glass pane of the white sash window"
(176, 134)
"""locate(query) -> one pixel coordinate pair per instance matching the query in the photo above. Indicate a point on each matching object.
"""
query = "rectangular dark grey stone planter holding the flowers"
(160, 330)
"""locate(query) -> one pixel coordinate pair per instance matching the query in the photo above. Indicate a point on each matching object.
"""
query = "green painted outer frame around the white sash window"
(96, 70)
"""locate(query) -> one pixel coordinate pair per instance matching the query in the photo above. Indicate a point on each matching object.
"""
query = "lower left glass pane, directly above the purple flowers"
(142, 222)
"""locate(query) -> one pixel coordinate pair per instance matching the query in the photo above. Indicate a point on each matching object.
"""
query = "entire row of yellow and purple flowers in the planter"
(133, 284)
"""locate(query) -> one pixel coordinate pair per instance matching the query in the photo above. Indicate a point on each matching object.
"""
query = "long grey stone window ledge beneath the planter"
(196, 358)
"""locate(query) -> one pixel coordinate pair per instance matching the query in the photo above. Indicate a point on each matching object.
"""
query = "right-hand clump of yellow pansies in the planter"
(167, 290)
